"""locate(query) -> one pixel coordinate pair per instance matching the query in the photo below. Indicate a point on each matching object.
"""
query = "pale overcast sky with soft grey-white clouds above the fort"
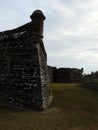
(70, 29)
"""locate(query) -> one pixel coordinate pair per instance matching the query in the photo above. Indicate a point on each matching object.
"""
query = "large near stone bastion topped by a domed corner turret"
(23, 66)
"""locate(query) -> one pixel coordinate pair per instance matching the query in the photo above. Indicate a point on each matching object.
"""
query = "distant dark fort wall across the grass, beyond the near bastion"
(65, 75)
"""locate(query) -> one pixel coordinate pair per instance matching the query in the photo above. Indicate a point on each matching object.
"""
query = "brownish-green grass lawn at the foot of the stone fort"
(73, 108)
